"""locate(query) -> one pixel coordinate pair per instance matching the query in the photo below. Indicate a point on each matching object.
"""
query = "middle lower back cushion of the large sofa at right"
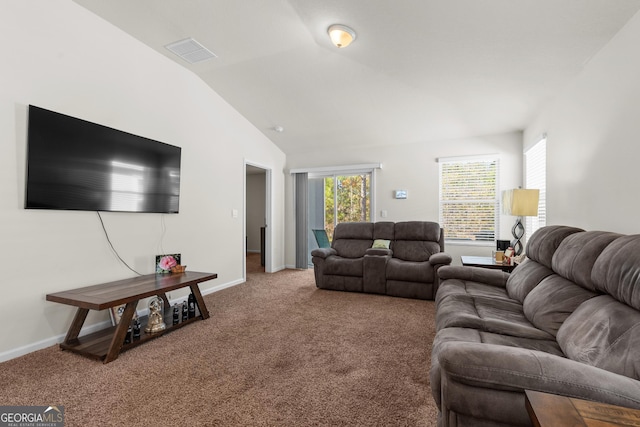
(549, 304)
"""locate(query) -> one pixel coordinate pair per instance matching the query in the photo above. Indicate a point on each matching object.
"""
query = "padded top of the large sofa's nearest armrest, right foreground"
(488, 366)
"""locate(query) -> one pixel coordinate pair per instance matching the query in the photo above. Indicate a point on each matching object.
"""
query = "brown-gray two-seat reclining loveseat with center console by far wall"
(407, 268)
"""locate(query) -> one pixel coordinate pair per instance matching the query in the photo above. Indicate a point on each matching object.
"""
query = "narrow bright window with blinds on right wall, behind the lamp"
(536, 177)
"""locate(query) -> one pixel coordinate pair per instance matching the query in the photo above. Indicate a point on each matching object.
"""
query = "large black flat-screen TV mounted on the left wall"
(73, 164)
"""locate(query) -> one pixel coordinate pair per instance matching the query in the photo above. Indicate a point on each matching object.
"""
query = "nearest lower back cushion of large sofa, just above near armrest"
(603, 333)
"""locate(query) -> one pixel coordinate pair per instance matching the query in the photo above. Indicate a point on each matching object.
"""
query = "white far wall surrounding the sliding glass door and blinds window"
(413, 167)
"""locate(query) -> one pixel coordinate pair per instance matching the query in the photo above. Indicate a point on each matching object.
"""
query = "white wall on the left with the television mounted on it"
(61, 57)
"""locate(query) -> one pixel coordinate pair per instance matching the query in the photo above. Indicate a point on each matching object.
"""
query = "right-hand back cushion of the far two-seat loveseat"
(416, 240)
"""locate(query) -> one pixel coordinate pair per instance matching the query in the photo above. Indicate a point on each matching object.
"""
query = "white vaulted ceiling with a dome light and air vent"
(419, 70)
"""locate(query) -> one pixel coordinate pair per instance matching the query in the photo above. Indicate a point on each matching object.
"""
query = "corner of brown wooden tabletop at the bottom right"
(550, 410)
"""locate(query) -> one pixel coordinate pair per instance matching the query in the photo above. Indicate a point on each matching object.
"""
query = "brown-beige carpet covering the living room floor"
(275, 352)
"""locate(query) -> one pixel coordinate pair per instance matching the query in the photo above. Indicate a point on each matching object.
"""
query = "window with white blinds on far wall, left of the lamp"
(469, 202)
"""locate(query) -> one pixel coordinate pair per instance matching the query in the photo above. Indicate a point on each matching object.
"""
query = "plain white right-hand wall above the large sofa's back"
(593, 143)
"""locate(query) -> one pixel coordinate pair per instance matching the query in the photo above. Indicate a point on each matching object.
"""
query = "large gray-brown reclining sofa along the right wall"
(566, 321)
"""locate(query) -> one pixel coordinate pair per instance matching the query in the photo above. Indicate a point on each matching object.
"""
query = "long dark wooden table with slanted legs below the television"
(107, 344)
